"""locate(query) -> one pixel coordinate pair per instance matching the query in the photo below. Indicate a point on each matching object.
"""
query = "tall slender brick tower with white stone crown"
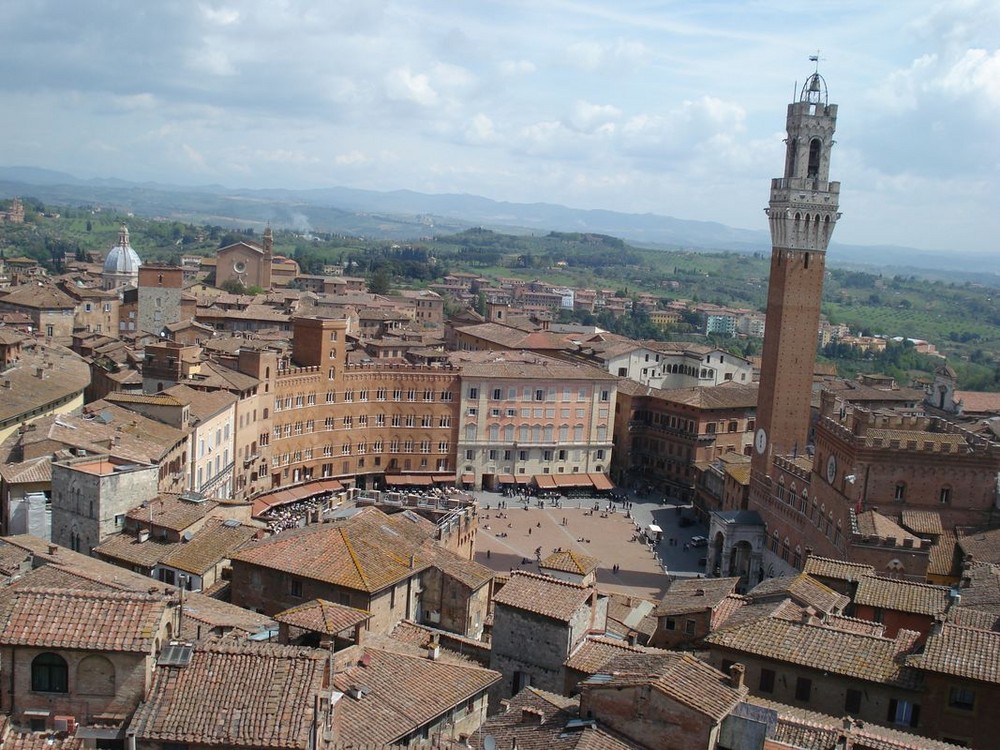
(802, 213)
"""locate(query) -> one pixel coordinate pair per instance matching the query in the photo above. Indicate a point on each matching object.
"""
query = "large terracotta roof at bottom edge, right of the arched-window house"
(235, 694)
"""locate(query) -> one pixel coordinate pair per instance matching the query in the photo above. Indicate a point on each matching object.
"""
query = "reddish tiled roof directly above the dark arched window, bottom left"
(90, 620)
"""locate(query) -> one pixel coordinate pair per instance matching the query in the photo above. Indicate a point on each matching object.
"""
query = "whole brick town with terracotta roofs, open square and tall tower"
(248, 506)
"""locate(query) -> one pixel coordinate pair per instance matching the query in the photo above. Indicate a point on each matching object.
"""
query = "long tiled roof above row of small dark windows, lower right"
(863, 657)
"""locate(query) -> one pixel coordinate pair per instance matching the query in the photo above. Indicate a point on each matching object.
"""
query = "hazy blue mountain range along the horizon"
(404, 214)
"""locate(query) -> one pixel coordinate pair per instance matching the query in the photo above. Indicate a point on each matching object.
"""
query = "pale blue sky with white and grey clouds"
(670, 107)
